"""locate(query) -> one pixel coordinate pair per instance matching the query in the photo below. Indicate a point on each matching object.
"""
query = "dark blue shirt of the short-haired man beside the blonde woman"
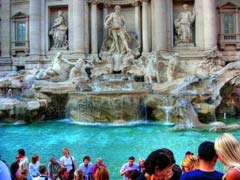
(201, 175)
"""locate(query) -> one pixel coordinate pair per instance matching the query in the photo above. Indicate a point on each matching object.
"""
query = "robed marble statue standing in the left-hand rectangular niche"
(59, 32)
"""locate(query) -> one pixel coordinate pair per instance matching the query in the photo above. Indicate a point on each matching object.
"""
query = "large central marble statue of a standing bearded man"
(115, 25)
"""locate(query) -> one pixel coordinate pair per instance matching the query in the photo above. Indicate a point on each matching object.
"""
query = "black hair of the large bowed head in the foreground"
(160, 158)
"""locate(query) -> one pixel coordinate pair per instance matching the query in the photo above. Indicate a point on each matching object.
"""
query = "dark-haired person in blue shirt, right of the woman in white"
(85, 167)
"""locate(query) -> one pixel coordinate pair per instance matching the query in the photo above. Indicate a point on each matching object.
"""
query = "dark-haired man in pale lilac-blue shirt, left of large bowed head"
(127, 167)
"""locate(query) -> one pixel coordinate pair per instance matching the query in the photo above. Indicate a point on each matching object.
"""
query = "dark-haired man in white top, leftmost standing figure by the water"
(23, 164)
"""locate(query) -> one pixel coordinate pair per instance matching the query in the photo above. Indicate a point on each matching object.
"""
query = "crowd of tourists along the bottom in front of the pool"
(159, 165)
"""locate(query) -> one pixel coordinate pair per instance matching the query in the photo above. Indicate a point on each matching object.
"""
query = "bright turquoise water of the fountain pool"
(114, 143)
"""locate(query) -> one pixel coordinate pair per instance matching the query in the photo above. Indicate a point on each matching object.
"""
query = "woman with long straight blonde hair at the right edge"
(228, 151)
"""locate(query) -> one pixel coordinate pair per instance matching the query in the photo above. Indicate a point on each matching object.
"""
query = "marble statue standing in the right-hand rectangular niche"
(183, 24)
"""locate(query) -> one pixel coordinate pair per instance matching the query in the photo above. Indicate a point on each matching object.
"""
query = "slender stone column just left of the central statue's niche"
(94, 29)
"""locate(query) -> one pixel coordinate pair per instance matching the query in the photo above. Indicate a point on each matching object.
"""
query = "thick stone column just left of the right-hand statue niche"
(160, 28)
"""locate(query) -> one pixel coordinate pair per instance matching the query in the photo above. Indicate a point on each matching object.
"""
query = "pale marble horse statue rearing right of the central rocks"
(151, 69)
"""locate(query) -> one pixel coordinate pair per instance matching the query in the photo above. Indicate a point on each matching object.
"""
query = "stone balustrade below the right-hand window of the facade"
(229, 39)
